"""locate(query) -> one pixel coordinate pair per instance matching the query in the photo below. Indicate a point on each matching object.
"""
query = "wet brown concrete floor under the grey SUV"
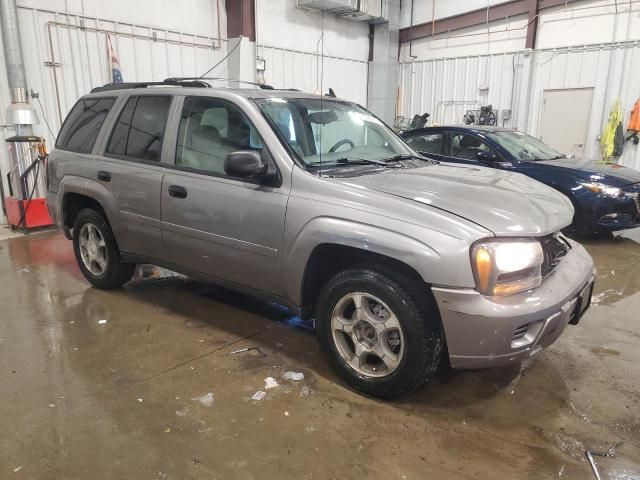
(82, 398)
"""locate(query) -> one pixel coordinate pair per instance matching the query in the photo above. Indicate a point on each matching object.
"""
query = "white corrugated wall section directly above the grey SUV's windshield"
(286, 68)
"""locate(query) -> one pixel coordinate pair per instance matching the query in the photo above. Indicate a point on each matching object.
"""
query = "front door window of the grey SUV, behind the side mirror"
(210, 129)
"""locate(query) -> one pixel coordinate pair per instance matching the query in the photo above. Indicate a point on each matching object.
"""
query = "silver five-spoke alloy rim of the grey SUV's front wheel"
(367, 334)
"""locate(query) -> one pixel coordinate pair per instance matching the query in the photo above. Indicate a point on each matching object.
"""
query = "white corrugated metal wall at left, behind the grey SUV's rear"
(66, 55)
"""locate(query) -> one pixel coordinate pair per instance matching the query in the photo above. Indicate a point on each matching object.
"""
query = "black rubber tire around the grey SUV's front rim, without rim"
(414, 307)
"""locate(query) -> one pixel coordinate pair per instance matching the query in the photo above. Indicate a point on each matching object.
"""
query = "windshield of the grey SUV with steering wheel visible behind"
(329, 131)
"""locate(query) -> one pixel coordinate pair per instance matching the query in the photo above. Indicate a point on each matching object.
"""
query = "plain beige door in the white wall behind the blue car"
(566, 114)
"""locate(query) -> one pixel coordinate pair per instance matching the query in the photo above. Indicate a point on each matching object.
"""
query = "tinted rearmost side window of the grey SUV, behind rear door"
(81, 128)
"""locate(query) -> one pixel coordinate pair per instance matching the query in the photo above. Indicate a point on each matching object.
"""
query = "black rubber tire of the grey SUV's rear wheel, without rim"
(116, 273)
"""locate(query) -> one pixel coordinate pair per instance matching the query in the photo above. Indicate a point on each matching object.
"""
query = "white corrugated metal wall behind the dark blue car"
(447, 87)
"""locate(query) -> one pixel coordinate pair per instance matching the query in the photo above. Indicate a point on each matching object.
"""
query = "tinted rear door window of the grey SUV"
(139, 131)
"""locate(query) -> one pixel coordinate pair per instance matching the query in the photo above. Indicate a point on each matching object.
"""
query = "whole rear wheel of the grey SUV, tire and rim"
(97, 253)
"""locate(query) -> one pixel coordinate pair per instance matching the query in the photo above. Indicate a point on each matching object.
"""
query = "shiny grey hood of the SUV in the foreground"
(507, 203)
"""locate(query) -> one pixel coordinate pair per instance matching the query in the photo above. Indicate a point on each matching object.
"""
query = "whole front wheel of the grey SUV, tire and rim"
(380, 331)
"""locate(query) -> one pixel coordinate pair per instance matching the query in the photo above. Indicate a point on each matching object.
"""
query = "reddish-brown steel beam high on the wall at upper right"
(502, 11)
